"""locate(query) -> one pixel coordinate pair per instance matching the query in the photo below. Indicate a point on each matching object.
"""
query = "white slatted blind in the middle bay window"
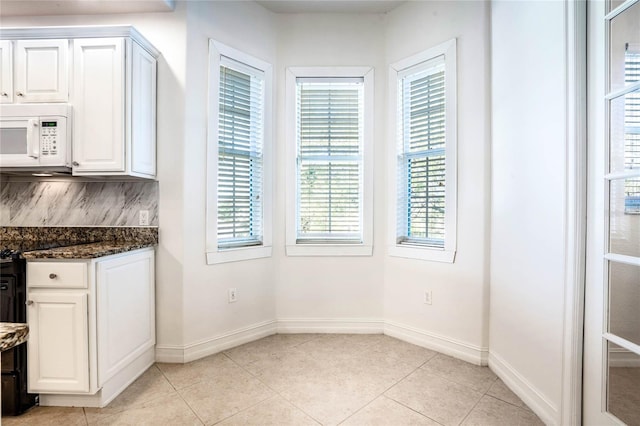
(329, 159)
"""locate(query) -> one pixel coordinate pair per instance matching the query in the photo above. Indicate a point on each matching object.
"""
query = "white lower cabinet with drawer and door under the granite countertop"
(91, 326)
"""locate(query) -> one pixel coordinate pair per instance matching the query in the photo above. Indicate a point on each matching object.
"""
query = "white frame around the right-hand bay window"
(397, 71)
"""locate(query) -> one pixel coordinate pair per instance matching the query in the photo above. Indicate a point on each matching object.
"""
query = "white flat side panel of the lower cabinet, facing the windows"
(126, 311)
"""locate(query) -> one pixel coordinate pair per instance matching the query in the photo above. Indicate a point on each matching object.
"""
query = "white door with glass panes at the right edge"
(611, 386)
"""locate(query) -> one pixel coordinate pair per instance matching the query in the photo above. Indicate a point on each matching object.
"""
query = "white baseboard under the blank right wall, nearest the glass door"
(547, 412)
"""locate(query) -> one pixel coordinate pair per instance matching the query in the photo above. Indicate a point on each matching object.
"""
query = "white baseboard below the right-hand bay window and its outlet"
(464, 351)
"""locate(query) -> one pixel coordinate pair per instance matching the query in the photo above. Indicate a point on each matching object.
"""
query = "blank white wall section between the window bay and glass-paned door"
(529, 200)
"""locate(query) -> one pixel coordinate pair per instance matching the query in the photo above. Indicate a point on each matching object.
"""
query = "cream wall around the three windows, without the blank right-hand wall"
(194, 317)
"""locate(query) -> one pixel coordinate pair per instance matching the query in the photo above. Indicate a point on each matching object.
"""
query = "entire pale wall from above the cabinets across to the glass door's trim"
(527, 222)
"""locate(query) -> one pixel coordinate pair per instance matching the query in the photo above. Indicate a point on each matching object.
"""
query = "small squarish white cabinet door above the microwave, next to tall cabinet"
(42, 71)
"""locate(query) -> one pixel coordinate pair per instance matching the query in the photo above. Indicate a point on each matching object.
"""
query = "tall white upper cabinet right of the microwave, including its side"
(116, 136)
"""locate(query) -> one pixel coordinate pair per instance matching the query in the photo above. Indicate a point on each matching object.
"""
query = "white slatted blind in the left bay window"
(240, 161)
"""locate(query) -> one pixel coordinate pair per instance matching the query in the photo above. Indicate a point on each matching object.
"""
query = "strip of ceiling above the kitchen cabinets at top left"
(82, 7)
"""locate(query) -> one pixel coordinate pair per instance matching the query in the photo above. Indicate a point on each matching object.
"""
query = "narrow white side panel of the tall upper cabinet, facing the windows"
(142, 95)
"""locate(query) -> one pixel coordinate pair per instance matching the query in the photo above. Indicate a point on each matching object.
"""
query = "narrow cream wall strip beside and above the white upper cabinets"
(167, 32)
